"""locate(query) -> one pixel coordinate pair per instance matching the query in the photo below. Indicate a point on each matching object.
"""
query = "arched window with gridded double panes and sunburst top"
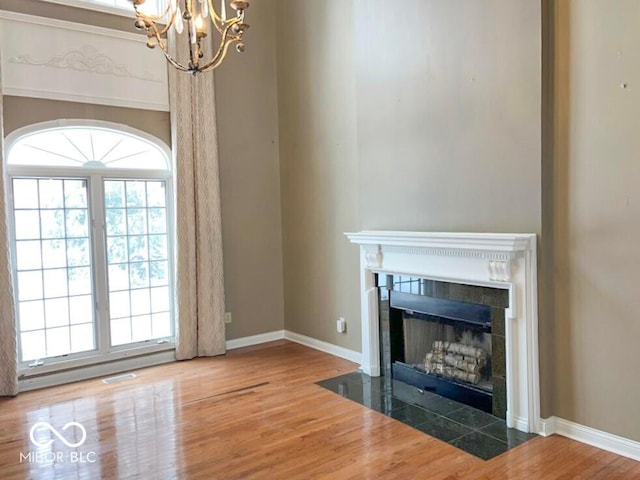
(91, 235)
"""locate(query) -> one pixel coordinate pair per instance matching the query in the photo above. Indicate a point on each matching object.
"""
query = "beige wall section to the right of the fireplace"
(597, 207)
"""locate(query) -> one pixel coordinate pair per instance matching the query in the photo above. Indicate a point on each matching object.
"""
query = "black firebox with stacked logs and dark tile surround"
(441, 337)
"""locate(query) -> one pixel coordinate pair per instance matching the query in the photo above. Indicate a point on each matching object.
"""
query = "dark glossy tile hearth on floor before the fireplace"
(471, 430)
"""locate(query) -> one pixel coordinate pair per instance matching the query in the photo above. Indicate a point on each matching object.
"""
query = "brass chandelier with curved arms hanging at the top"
(192, 18)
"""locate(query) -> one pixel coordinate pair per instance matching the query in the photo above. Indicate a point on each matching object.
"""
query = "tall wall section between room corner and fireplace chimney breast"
(319, 168)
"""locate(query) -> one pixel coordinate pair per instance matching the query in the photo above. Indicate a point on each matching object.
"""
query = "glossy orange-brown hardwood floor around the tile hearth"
(254, 413)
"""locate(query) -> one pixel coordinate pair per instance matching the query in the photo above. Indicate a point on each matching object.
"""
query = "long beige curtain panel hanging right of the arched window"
(200, 329)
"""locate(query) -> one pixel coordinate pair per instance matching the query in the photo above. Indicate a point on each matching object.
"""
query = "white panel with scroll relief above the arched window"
(59, 60)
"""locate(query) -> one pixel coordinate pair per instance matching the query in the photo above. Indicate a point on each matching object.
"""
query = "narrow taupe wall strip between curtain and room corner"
(247, 112)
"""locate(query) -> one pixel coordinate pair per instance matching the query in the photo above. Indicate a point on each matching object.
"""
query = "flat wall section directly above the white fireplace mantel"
(448, 119)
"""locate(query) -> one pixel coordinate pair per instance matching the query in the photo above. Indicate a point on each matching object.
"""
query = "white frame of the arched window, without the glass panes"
(103, 353)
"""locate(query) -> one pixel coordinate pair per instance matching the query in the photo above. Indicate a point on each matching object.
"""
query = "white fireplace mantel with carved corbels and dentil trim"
(499, 260)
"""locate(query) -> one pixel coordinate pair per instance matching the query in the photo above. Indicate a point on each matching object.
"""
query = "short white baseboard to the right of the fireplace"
(591, 436)
